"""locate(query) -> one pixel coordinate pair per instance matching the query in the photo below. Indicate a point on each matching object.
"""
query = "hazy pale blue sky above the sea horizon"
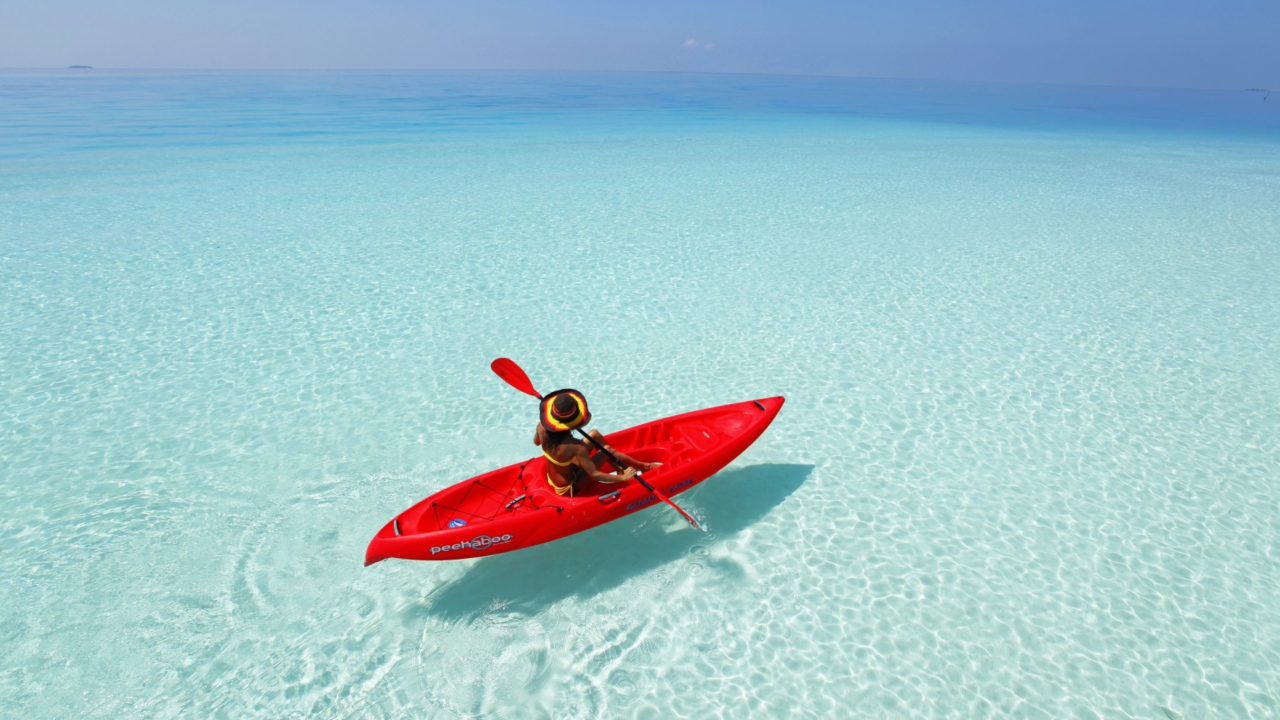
(1231, 44)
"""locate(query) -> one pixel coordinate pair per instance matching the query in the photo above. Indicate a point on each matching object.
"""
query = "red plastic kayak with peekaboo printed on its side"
(515, 507)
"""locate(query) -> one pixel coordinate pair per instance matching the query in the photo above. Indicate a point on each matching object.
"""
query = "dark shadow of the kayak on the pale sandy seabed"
(601, 559)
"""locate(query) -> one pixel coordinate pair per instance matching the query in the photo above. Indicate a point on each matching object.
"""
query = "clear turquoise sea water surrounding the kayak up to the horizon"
(1028, 338)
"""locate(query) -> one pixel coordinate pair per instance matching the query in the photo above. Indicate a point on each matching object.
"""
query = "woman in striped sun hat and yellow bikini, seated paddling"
(569, 461)
